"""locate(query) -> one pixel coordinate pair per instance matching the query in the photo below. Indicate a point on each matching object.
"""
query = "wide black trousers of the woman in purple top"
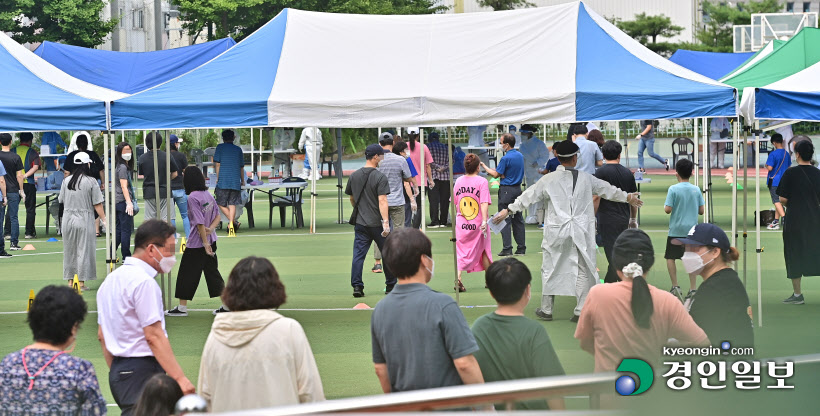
(194, 263)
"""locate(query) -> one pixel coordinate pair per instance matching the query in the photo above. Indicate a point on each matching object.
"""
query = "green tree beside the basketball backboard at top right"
(716, 34)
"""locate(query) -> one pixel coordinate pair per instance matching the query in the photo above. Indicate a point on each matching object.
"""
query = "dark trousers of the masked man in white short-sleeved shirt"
(127, 379)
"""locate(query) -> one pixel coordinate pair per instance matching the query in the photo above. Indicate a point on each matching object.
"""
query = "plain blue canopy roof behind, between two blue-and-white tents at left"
(130, 72)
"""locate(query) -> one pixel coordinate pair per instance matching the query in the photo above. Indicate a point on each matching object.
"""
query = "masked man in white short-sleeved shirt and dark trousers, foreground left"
(132, 321)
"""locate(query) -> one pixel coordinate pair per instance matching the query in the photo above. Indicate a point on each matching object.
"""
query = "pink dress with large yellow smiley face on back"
(470, 192)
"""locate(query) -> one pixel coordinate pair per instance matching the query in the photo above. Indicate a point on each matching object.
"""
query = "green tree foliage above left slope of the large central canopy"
(239, 18)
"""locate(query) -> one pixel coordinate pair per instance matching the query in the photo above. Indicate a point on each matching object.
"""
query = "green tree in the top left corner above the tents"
(75, 22)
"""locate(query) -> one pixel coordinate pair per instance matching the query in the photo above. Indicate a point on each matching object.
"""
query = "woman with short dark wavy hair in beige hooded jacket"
(254, 340)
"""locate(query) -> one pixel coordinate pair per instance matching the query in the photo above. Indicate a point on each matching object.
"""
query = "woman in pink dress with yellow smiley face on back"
(472, 199)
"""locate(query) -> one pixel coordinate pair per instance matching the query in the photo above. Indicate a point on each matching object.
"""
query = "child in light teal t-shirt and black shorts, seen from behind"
(684, 202)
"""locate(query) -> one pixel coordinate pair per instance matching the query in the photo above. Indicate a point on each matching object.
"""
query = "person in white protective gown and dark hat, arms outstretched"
(569, 255)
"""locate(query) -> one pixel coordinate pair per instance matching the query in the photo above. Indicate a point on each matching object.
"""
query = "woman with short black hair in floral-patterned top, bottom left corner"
(43, 378)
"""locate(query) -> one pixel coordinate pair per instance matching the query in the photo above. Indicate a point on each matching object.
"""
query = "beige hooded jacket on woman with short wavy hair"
(255, 359)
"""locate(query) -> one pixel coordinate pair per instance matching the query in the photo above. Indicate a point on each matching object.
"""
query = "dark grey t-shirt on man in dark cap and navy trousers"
(366, 192)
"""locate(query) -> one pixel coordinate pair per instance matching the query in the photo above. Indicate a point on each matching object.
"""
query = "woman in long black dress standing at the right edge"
(799, 192)
